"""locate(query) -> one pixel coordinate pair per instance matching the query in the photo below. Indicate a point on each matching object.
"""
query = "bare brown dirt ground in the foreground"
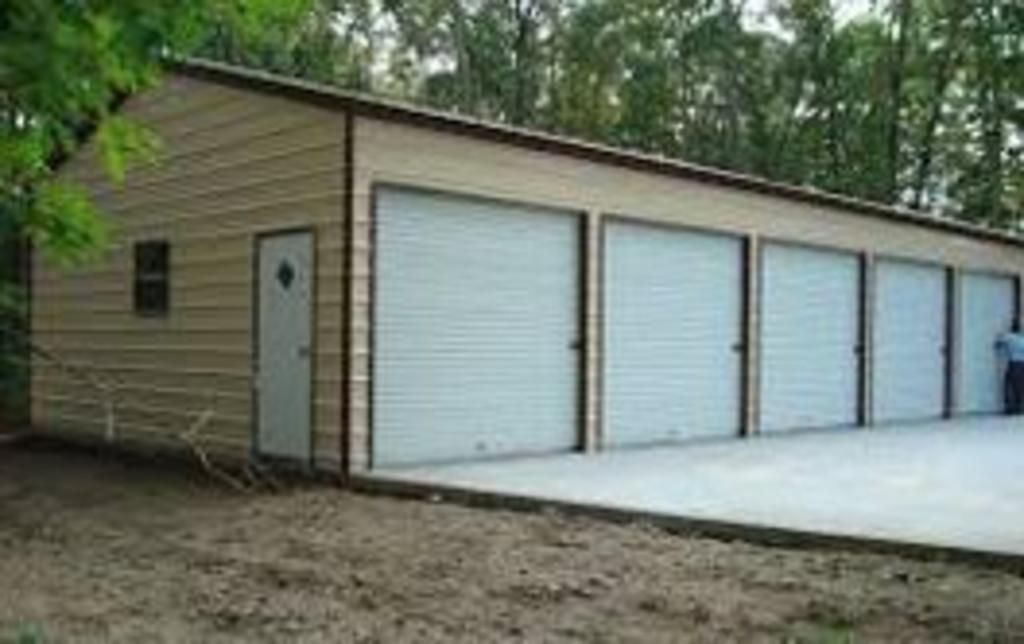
(97, 549)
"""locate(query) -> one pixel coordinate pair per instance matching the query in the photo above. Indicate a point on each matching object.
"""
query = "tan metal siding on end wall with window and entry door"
(235, 163)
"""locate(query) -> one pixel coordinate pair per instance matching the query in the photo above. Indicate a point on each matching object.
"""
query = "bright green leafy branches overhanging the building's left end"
(65, 69)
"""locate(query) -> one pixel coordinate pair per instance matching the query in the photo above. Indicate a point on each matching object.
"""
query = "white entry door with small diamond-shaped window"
(283, 367)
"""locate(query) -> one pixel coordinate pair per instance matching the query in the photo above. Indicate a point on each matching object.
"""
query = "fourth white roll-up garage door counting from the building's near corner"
(910, 339)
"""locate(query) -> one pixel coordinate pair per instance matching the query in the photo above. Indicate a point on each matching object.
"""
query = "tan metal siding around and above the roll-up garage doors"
(388, 152)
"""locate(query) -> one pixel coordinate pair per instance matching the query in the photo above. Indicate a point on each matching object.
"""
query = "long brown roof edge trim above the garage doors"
(390, 110)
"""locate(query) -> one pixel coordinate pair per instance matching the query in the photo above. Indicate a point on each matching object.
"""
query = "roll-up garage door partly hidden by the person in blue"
(987, 310)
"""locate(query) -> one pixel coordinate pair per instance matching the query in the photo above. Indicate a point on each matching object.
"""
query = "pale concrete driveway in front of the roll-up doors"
(955, 485)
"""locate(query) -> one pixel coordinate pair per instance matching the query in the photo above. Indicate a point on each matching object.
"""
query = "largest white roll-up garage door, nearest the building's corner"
(476, 329)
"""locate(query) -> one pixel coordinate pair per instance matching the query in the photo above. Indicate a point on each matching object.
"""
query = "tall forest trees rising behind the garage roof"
(918, 103)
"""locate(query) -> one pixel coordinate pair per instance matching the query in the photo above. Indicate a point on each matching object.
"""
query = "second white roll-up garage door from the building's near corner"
(672, 328)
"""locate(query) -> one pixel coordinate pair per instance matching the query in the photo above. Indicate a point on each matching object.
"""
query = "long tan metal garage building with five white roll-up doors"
(353, 284)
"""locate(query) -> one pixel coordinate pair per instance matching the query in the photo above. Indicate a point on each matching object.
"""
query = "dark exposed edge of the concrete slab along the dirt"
(718, 530)
